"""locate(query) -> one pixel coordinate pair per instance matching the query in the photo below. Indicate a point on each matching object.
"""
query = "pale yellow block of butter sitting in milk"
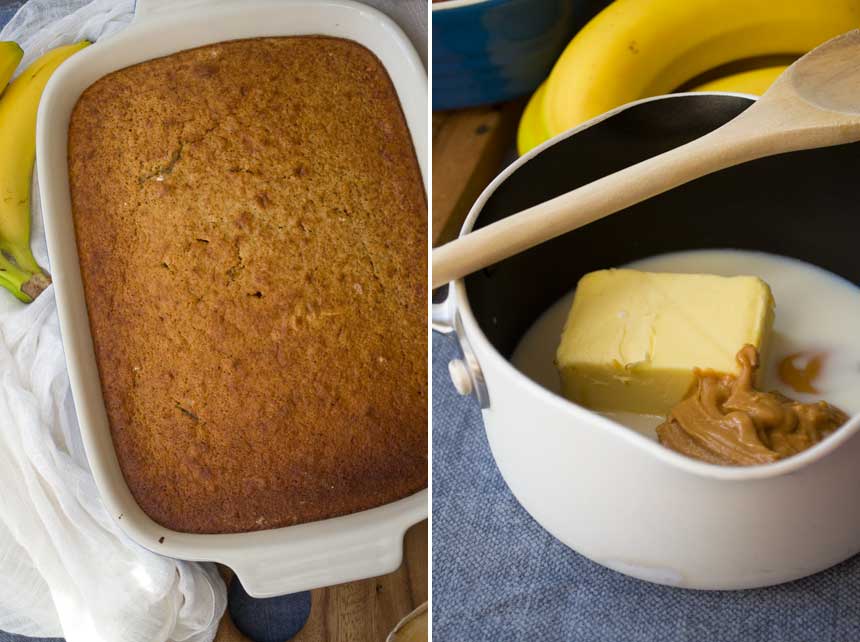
(632, 339)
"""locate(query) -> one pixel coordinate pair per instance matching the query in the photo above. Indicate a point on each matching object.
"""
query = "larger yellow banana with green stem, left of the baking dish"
(19, 272)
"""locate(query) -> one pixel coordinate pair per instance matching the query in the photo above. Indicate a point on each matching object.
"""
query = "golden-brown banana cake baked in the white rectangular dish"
(251, 226)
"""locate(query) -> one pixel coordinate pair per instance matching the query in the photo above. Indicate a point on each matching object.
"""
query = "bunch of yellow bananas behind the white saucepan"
(639, 48)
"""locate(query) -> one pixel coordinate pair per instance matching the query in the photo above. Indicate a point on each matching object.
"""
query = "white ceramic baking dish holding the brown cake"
(267, 562)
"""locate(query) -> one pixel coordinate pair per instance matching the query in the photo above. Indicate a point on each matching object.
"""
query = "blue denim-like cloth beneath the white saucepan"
(498, 576)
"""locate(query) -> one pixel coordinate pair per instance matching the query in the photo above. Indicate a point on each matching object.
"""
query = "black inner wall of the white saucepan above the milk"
(802, 205)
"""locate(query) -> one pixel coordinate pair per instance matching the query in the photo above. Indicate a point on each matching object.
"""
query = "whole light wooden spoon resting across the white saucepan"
(815, 103)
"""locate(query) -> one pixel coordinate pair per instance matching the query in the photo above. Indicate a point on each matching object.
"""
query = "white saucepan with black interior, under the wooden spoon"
(608, 492)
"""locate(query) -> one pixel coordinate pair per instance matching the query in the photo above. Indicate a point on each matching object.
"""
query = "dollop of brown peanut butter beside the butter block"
(725, 420)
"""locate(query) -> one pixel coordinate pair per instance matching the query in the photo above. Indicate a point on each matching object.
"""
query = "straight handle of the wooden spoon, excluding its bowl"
(729, 145)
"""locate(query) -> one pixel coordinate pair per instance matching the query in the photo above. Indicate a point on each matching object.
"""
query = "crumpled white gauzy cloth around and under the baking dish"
(65, 568)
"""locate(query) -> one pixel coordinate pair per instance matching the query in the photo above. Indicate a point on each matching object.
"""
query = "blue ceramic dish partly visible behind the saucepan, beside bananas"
(488, 51)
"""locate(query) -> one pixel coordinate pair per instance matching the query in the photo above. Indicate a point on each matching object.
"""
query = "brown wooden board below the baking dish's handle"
(361, 611)
